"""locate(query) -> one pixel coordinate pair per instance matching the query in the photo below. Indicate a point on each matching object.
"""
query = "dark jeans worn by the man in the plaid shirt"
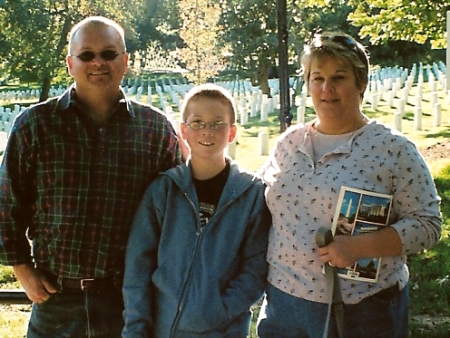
(78, 315)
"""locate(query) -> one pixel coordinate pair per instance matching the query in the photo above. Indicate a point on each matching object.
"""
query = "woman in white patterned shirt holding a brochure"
(304, 176)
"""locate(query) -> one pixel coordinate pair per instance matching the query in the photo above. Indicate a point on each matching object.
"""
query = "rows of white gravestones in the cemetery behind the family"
(384, 86)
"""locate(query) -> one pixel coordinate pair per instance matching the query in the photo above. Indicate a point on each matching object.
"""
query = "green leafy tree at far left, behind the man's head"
(36, 33)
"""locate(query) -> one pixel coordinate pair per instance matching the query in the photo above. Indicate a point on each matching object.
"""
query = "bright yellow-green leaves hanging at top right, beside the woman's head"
(416, 21)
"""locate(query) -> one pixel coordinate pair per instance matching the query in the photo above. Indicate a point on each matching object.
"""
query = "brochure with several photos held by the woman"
(357, 212)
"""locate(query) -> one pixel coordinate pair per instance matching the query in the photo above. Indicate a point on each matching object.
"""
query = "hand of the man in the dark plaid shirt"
(36, 286)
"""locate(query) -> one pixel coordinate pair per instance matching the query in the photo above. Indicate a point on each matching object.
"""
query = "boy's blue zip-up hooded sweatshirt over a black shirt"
(187, 281)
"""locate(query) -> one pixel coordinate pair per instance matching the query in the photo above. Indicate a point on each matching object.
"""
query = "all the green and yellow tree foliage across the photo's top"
(33, 33)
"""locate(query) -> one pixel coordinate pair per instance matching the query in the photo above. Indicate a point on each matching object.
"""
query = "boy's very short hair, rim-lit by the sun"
(212, 91)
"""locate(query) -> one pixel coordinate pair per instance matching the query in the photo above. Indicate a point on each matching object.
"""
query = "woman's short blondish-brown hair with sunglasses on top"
(337, 45)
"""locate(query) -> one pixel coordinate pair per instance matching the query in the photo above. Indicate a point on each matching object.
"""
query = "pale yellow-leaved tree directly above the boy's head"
(199, 28)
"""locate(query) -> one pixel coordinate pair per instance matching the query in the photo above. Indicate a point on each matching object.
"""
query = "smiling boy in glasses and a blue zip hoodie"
(196, 258)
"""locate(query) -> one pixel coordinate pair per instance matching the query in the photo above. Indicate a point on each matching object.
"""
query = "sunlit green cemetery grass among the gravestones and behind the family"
(430, 270)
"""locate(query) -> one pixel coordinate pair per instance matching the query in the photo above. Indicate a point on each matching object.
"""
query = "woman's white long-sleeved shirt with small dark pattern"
(302, 197)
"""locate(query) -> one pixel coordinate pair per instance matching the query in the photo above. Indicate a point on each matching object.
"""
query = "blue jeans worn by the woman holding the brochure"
(383, 315)
